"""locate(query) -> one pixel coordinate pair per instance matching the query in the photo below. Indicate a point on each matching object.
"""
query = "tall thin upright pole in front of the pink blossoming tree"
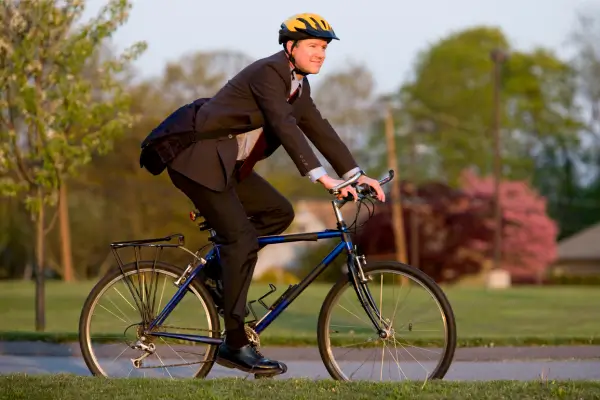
(498, 57)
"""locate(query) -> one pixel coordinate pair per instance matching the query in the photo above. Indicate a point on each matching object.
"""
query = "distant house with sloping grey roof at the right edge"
(579, 254)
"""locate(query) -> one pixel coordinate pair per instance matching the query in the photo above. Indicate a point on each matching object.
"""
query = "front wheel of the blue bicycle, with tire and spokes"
(421, 327)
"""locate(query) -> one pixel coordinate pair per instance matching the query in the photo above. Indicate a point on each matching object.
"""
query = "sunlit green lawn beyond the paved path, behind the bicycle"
(518, 316)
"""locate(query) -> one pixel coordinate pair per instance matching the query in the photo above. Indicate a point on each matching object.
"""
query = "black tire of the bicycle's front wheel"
(416, 274)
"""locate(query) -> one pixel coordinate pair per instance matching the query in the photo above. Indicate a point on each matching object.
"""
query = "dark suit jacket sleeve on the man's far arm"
(325, 139)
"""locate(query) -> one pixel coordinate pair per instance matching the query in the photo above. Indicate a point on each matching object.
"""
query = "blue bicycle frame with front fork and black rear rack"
(355, 275)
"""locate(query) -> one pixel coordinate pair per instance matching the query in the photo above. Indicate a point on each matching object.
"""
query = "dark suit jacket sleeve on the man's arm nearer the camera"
(269, 91)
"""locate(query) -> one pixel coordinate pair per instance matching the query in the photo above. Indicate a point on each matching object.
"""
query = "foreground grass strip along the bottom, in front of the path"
(66, 387)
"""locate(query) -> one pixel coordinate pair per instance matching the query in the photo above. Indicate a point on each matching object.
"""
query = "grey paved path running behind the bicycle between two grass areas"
(481, 364)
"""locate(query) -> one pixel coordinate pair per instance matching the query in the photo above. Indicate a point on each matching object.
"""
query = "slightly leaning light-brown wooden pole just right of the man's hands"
(397, 218)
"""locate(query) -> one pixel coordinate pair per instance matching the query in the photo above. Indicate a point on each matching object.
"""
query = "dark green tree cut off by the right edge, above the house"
(574, 192)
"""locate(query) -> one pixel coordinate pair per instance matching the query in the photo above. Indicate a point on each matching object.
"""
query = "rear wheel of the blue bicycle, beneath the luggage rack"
(111, 324)
